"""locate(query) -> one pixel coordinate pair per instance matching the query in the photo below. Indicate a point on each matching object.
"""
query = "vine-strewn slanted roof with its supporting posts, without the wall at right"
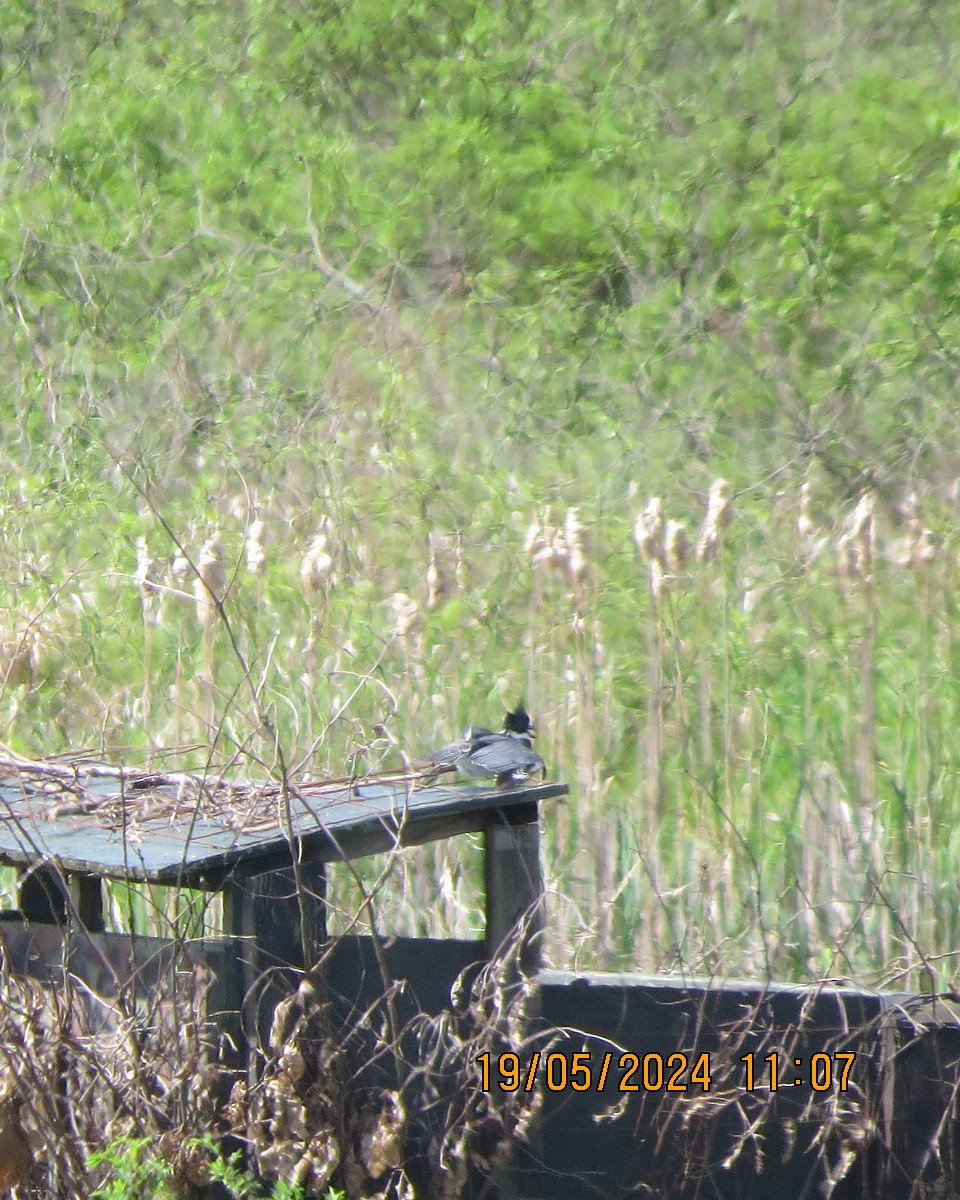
(265, 848)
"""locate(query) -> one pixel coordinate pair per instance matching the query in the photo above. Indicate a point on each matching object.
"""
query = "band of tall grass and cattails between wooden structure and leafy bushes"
(758, 739)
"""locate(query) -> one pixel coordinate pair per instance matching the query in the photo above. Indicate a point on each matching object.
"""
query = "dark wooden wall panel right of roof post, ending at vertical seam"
(650, 1144)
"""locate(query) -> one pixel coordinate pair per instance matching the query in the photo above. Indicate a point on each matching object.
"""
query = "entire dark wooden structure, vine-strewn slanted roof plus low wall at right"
(266, 849)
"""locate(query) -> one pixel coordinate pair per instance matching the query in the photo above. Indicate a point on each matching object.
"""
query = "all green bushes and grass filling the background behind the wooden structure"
(423, 271)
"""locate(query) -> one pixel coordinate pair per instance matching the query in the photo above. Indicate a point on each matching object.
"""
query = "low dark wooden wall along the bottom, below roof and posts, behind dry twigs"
(892, 1137)
